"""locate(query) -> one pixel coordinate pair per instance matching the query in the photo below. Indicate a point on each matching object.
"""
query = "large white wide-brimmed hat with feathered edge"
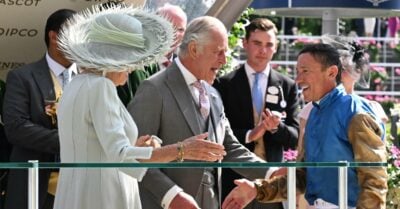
(115, 38)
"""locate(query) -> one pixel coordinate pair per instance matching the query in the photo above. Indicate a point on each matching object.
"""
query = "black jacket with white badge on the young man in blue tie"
(236, 95)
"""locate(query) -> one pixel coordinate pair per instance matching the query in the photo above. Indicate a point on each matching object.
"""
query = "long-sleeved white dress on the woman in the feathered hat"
(94, 126)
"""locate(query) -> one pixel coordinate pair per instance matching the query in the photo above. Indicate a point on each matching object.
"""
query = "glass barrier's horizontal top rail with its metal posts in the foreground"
(33, 170)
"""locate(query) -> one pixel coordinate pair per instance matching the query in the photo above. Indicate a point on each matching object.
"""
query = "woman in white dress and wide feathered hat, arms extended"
(94, 126)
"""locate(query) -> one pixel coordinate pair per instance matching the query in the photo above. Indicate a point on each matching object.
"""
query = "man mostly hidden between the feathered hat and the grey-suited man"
(179, 20)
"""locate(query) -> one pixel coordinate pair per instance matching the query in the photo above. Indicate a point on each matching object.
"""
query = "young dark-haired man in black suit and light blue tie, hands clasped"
(260, 103)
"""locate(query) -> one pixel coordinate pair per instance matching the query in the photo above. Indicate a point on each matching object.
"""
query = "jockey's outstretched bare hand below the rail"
(241, 195)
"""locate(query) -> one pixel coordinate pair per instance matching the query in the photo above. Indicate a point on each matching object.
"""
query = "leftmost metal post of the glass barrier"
(33, 185)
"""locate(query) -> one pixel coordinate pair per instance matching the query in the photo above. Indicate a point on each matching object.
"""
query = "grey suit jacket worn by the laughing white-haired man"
(164, 106)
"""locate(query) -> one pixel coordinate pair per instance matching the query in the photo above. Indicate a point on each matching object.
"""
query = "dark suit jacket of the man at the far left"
(28, 128)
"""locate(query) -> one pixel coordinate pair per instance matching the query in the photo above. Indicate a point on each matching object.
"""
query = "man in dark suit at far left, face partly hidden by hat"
(33, 133)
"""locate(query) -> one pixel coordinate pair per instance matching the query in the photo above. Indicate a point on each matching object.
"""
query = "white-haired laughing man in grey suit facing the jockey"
(179, 102)
